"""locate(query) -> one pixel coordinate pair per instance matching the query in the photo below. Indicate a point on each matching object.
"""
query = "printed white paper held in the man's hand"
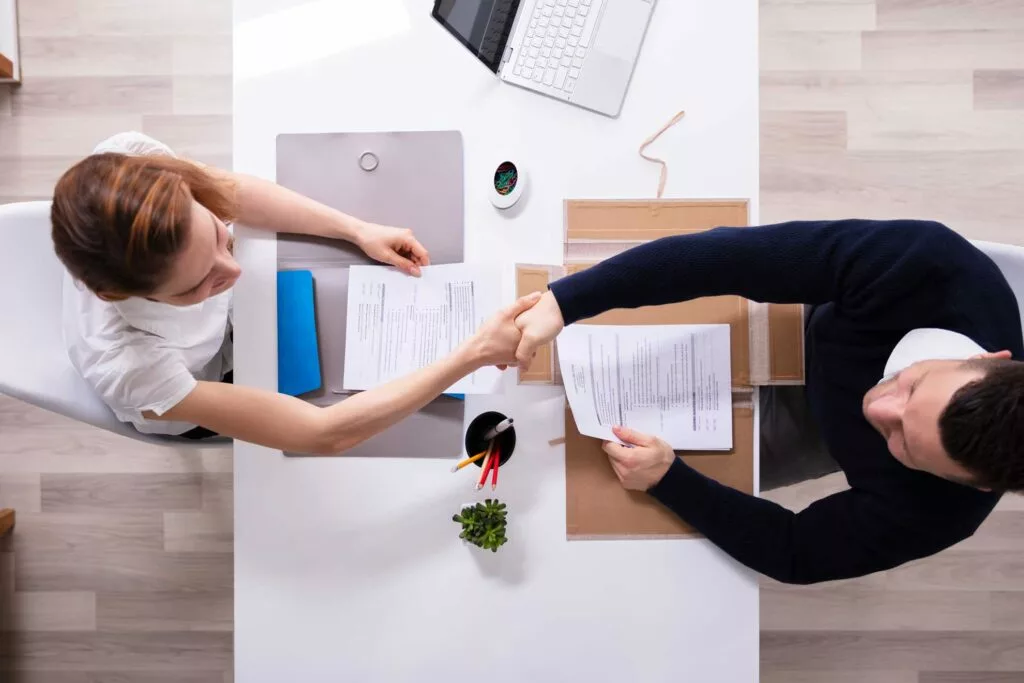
(670, 381)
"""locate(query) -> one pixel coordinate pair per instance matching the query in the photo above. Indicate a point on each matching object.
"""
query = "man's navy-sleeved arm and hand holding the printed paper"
(851, 534)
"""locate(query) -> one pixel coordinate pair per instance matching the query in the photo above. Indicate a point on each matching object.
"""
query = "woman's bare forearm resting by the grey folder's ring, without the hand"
(268, 206)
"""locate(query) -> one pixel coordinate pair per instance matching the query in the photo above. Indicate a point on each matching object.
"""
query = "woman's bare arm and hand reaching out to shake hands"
(291, 424)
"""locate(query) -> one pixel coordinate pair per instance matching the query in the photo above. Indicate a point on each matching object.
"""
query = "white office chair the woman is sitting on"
(34, 364)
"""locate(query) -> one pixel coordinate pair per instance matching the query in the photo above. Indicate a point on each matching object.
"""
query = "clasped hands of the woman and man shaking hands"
(515, 334)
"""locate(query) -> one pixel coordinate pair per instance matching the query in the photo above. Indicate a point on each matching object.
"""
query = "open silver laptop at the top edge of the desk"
(580, 52)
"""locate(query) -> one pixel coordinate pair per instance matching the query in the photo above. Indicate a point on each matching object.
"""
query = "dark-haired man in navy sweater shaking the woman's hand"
(909, 378)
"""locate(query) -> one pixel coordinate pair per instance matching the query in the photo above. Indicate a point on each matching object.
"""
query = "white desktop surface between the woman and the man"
(351, 569)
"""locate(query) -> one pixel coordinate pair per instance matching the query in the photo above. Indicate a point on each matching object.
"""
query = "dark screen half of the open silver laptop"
(483, 26)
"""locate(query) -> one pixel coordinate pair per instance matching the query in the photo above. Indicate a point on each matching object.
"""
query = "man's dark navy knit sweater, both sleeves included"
(873, 282)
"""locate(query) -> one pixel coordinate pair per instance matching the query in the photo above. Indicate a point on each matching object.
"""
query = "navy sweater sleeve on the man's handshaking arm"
(850, 263)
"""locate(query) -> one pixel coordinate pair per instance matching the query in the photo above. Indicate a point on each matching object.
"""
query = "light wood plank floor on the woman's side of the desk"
(120, 570)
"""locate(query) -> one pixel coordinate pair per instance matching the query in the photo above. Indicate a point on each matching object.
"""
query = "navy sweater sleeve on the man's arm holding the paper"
(850, 534)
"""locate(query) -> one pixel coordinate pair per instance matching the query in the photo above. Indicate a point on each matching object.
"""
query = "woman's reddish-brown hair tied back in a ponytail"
(120, 221)
